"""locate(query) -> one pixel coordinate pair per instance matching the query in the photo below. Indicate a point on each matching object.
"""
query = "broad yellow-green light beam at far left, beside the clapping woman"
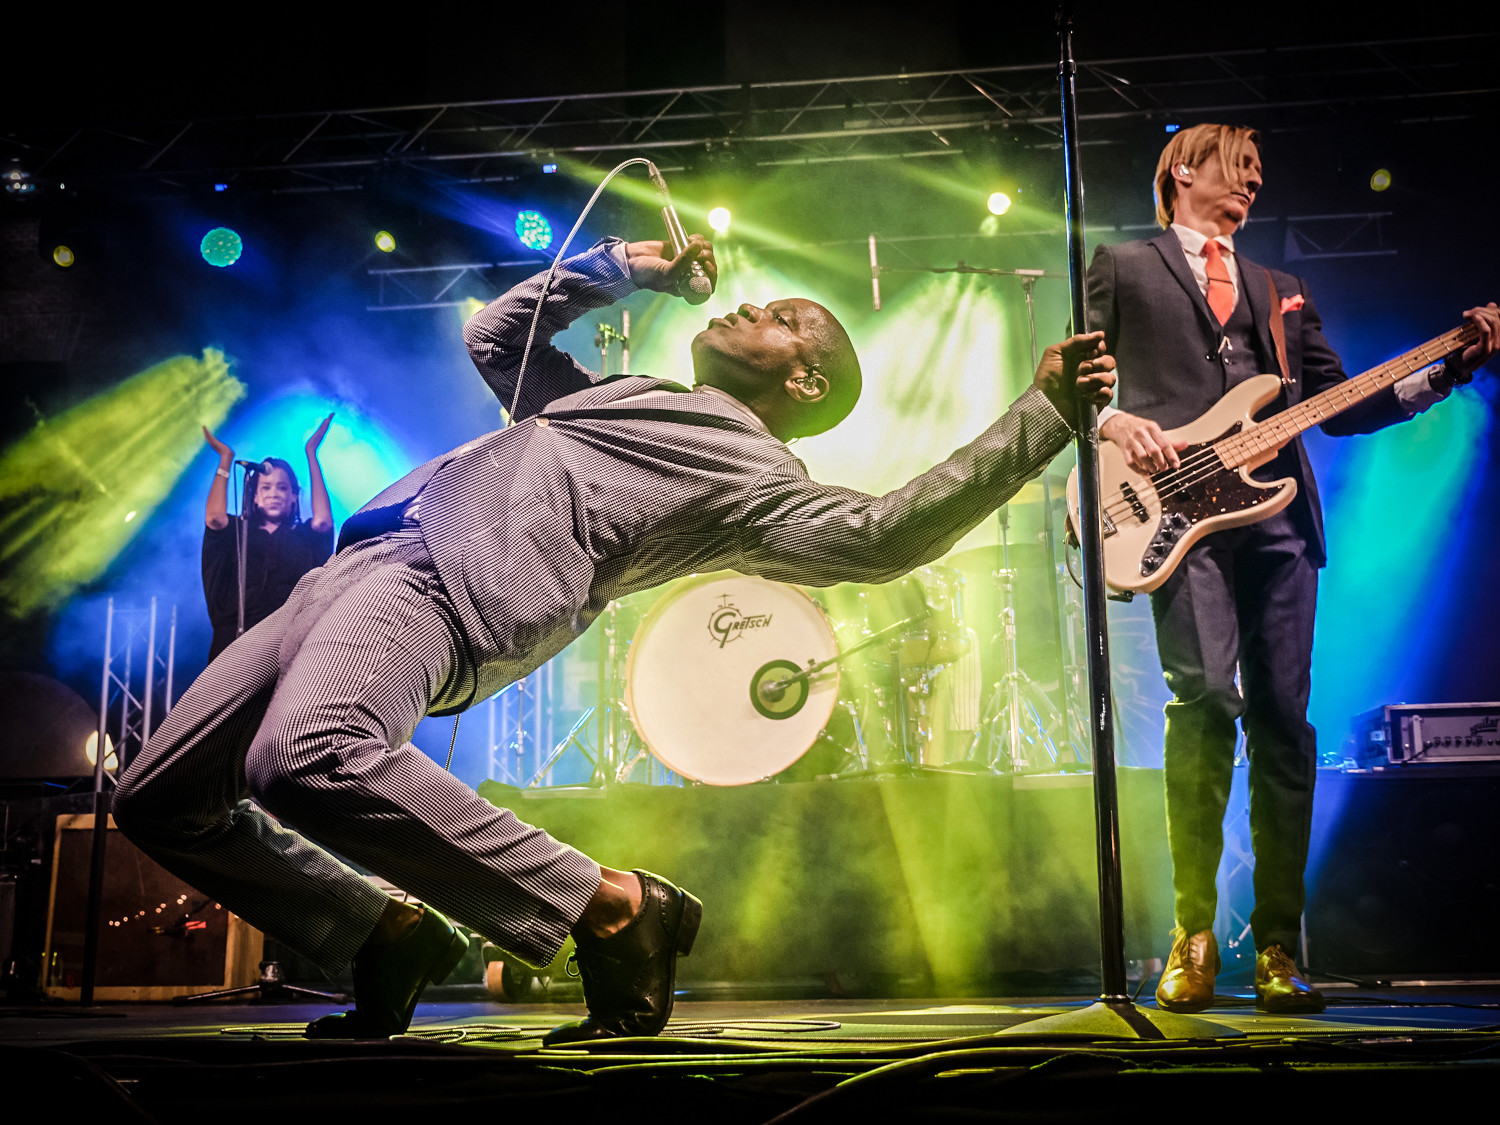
(77, 487)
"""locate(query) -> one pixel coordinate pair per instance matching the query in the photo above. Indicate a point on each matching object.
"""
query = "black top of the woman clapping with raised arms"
(275, 560)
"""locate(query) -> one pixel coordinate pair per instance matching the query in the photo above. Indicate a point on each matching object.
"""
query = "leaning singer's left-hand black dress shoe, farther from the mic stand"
(389, 977)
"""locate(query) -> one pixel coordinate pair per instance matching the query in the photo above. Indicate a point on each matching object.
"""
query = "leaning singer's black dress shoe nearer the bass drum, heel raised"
(628, 977)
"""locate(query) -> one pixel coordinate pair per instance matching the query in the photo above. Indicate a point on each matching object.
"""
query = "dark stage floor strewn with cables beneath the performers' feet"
(758, 1061)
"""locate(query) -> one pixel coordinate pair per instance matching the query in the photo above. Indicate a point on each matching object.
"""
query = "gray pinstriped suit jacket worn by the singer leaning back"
(586, 497)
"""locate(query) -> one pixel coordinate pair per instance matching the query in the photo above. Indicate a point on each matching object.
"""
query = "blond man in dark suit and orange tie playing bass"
(1187, 320)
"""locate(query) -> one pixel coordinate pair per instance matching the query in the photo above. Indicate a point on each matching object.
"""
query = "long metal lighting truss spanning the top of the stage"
(775, 124)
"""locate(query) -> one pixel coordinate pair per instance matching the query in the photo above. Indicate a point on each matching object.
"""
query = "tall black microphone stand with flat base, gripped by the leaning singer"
(1114, 1015)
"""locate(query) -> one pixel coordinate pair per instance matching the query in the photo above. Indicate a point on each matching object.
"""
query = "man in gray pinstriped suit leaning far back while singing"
(487, 562)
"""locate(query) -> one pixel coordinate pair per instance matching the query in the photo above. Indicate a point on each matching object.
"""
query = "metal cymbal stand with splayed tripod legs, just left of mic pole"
(1015, 731)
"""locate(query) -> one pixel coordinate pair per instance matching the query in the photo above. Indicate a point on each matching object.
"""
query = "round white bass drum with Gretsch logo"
(706, 679)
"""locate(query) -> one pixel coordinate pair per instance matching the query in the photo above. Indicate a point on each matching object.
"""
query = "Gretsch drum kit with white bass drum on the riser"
(730, 680)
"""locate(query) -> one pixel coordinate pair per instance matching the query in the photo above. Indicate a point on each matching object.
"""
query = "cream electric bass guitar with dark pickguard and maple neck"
(1150, 521)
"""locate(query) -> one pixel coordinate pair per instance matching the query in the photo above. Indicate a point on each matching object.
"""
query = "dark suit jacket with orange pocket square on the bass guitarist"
(1165, 338)
